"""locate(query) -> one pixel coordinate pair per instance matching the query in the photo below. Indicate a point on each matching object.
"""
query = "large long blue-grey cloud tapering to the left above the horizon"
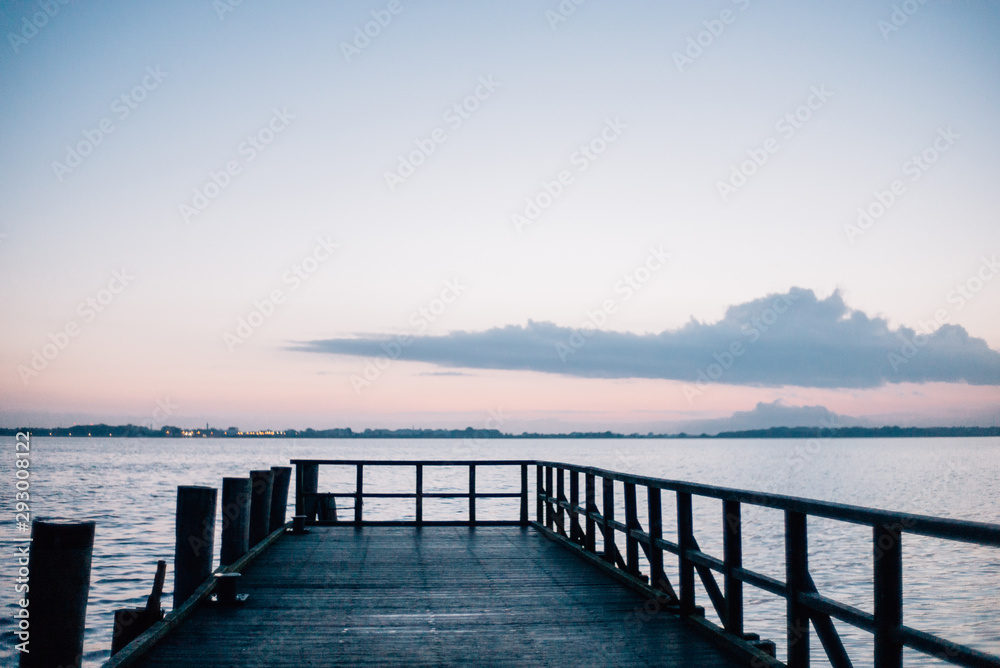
(782, 339)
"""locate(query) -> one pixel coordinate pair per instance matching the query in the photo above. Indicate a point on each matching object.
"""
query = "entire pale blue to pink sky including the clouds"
(574, 215)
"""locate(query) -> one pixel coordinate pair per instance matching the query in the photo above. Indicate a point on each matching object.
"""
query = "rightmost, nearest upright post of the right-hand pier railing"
(888, 552)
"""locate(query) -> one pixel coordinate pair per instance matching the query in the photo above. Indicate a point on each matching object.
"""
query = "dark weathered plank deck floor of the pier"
(431, 596)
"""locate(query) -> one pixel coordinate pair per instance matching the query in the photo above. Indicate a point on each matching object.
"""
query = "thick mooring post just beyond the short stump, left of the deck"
(194, 537)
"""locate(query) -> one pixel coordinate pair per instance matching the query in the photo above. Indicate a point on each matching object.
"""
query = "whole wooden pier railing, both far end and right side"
(569, 513)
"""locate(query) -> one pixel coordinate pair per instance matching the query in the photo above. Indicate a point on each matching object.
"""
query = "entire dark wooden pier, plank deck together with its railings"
(572, 585)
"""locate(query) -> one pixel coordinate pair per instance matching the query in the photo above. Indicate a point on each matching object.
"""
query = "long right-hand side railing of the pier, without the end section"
(577, 520)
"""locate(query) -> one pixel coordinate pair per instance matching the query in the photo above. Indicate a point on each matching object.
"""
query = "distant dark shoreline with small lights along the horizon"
(137, 431)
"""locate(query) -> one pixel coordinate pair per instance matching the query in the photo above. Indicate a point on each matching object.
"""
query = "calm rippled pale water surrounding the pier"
(128, 486)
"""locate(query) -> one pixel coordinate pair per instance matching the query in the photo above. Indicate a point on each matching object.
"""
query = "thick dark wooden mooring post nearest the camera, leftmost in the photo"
(59, 582)
